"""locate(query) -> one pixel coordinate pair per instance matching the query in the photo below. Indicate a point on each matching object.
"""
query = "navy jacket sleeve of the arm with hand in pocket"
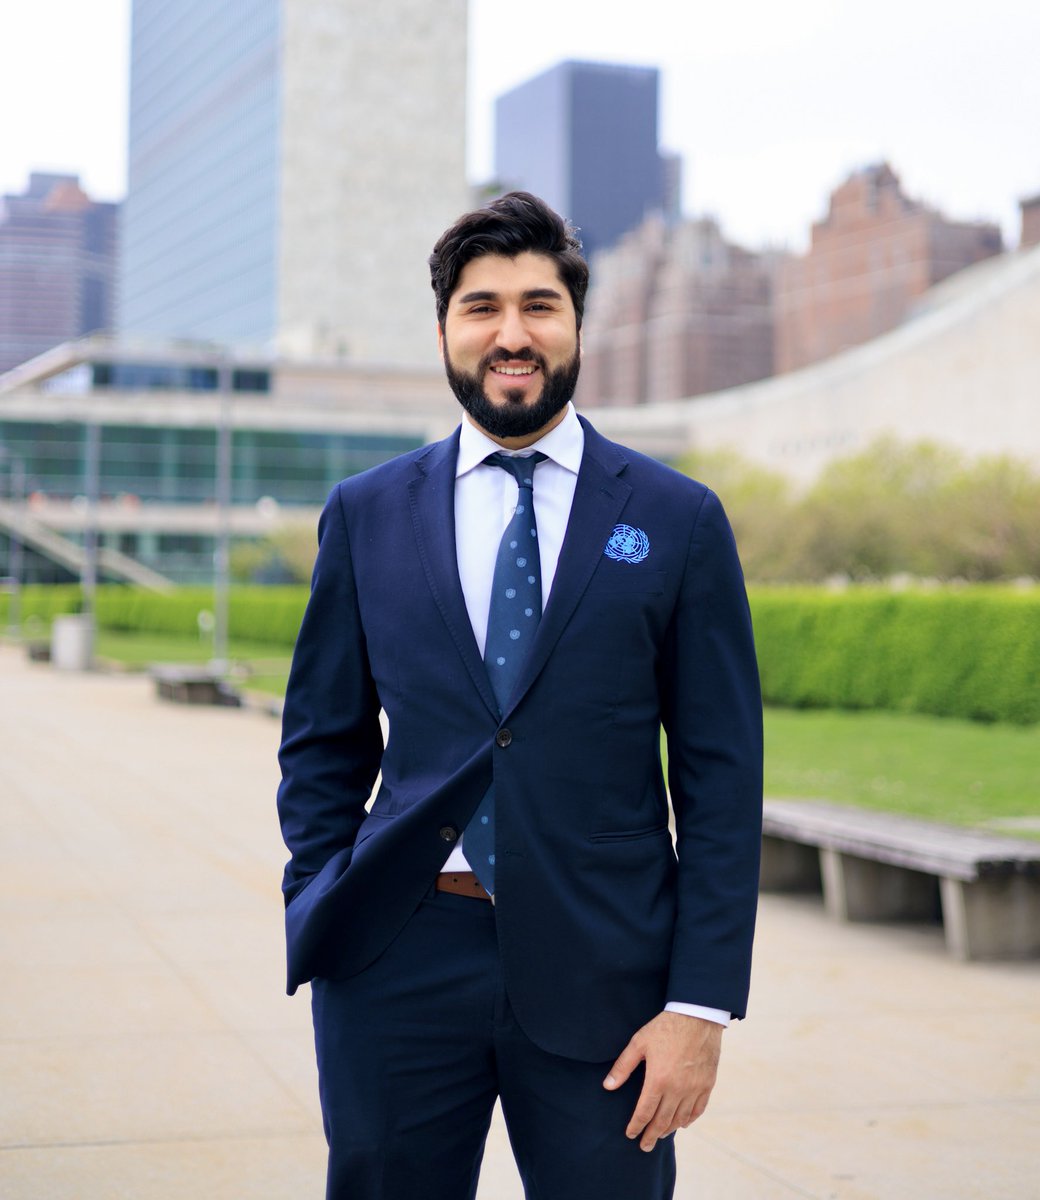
(332, 740)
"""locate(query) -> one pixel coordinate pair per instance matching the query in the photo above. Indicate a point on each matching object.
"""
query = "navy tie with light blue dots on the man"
(516, 608)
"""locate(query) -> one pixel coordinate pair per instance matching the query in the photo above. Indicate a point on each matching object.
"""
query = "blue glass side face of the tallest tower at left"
(201, 225)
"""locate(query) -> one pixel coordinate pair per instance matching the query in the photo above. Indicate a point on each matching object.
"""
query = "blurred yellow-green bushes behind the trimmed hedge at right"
(919, 509)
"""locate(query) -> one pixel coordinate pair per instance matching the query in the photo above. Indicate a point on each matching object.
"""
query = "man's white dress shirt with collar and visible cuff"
(485, 499)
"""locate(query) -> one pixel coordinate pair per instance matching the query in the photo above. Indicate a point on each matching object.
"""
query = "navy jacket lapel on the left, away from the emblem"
(431, 496)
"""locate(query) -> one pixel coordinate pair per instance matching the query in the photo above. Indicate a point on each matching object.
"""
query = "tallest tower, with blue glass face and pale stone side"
(291, 165)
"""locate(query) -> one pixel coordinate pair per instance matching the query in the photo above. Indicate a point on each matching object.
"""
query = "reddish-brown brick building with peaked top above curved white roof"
(871, 259)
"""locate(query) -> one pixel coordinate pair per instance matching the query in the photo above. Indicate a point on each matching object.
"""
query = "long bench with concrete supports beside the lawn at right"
(883, 867)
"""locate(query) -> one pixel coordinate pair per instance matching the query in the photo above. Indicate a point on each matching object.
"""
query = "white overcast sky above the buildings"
(771, 105)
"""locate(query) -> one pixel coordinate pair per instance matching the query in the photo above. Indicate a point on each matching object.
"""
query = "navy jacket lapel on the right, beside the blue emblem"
(600, 497)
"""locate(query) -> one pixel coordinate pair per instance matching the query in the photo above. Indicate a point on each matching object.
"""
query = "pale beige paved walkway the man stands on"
(148, 1051)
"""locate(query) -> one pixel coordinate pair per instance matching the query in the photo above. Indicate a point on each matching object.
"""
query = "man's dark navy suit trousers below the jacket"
(413, 1053)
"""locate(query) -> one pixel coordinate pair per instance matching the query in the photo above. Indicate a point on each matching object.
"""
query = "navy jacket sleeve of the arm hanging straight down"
(712, 712)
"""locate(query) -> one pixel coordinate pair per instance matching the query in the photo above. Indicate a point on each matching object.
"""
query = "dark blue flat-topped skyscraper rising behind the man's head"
(584, 136)
